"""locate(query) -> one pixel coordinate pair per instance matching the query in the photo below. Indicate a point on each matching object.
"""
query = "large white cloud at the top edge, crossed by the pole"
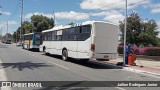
(110, 4)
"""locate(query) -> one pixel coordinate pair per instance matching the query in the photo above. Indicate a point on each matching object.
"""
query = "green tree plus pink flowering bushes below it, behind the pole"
(142, 34)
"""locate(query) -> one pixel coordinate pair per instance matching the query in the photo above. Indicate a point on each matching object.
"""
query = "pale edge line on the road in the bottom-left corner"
(3, 77)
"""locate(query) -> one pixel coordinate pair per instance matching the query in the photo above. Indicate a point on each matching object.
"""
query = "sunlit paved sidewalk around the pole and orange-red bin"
(145, 66)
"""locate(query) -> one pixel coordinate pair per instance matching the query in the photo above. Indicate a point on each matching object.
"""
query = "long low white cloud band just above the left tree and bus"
(62, 15)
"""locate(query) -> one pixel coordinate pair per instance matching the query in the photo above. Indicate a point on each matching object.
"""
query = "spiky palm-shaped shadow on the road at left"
(24, 65)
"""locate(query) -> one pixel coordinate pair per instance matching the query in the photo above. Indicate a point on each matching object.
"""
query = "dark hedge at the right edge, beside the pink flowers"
(153, 51)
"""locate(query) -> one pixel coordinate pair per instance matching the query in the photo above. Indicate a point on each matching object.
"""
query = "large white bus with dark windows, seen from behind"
(91, 40)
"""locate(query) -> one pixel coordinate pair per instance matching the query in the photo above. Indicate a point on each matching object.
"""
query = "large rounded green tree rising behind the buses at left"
(42, 23)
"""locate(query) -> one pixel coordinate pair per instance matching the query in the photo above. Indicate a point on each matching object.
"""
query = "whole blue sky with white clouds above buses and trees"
(76, 11)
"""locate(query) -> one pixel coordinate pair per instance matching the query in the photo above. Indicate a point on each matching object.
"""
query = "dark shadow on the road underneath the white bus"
(90, 64)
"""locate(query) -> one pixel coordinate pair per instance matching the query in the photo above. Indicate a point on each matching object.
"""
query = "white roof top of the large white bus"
(75, 25)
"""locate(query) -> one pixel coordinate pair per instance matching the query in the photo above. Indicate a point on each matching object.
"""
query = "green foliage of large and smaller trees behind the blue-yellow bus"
(38, 24)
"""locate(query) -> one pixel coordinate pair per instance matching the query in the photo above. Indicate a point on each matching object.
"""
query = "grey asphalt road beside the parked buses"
(18, 64)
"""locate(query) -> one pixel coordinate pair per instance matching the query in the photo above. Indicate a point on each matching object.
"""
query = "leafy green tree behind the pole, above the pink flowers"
(140, 32)
